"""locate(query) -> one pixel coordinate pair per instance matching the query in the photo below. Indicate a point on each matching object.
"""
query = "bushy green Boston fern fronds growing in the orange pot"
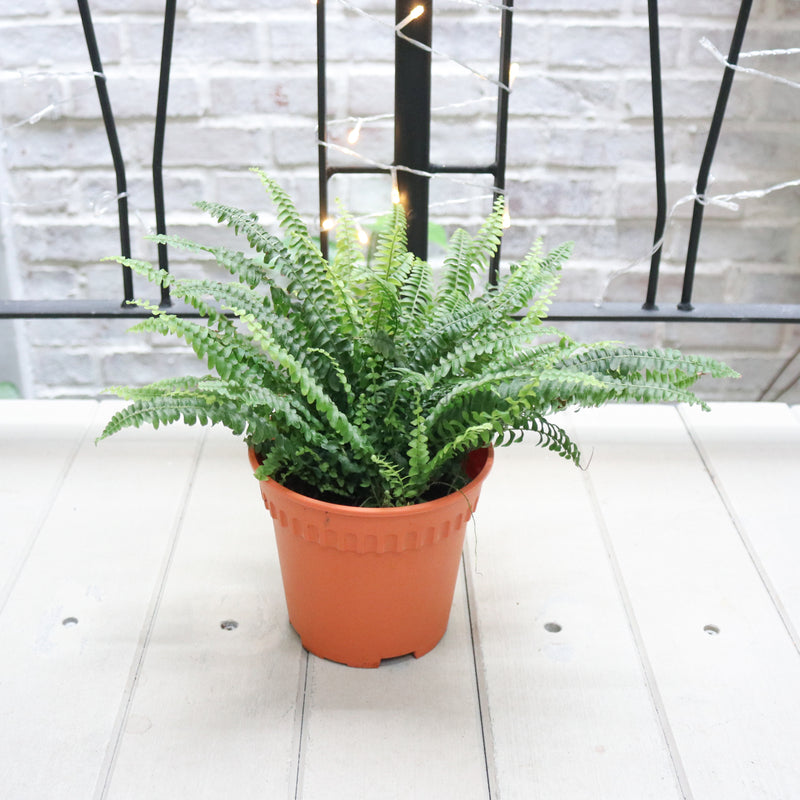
(367, 382)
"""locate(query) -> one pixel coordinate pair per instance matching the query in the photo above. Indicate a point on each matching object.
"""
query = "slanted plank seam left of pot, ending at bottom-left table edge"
(115, 743)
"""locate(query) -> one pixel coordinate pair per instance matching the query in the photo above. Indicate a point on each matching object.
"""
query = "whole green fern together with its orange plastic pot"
(371, 396)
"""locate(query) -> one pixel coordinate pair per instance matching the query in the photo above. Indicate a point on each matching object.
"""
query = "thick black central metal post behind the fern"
(412, 119)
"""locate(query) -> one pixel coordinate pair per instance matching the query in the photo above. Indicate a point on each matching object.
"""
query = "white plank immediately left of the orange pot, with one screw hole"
(213, 714)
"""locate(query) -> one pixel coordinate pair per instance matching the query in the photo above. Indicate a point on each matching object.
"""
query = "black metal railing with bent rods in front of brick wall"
(413, 170)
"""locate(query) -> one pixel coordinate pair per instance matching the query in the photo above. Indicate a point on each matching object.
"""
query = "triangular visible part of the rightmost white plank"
(753, 452)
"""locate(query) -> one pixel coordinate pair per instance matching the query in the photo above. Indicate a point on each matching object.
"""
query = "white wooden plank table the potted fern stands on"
(630, 631)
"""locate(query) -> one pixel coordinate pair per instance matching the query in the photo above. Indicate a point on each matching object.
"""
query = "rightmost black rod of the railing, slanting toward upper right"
(708, 154)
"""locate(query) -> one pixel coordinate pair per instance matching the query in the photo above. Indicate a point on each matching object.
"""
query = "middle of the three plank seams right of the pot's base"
(648, 673)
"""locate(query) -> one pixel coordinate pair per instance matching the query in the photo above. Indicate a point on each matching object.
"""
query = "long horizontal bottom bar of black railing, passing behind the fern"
(558, 312)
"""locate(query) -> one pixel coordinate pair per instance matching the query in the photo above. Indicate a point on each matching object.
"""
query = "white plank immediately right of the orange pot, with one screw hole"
(570, 711)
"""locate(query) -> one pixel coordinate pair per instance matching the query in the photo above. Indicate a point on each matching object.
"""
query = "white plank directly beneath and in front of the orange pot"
(409, 729)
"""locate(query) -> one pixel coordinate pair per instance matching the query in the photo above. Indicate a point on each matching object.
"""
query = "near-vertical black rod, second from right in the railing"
(660, 161)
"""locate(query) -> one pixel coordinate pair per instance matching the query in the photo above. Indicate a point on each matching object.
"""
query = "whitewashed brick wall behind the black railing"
(243, 93)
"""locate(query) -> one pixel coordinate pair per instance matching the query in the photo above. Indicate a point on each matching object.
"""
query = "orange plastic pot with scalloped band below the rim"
(364, 584)
